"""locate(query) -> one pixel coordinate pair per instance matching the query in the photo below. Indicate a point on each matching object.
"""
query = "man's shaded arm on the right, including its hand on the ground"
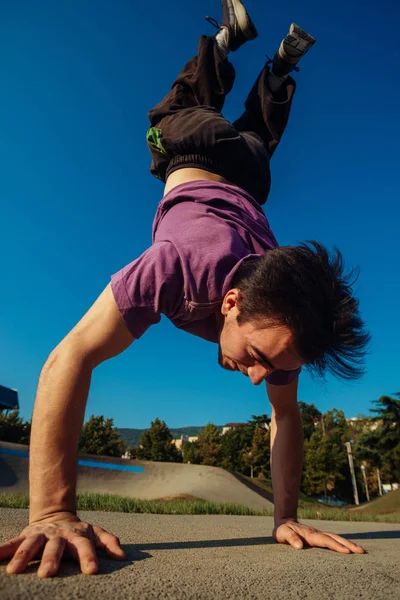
(286, 469)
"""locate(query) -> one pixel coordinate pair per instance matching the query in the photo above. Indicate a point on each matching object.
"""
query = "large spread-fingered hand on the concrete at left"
(65, 535)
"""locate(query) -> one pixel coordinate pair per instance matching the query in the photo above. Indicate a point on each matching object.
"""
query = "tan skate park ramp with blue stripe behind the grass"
(139, 479)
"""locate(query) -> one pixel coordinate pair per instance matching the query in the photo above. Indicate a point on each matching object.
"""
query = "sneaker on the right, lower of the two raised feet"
(293, 47)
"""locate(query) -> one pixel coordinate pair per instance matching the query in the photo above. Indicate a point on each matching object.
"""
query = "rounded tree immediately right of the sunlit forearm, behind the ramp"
(99, 436)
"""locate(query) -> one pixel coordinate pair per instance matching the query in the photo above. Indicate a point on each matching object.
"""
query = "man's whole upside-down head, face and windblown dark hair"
(293, 306)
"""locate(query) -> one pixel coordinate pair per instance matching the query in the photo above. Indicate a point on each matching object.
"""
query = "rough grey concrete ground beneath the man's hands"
(216, 557)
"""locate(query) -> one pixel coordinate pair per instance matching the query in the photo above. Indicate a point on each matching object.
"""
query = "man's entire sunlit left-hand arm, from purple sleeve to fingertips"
(57, 421)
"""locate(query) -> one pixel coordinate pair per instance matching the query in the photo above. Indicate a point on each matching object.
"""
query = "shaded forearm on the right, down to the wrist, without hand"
(286, 462)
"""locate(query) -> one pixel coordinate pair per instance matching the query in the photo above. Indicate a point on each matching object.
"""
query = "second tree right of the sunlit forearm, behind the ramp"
(156, 444)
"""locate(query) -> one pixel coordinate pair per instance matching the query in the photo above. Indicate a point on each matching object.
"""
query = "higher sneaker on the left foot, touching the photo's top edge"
(237, 22)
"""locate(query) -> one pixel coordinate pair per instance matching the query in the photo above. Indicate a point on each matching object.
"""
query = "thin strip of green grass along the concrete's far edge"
(195, 506)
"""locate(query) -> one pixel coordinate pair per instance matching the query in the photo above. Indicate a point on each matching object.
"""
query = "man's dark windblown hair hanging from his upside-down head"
(305, 288)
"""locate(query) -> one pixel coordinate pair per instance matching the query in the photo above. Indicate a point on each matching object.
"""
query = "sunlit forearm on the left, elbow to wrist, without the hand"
(57, 421)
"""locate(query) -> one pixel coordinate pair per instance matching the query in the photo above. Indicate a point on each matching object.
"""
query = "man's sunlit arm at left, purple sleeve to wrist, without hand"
(60, 405)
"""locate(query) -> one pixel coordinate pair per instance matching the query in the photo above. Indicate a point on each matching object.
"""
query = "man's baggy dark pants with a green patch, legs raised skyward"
(188, 129)
